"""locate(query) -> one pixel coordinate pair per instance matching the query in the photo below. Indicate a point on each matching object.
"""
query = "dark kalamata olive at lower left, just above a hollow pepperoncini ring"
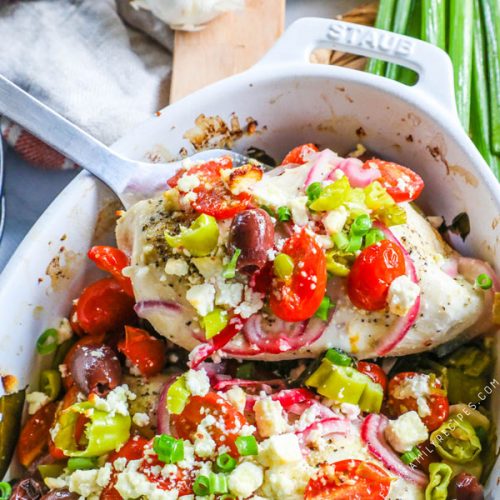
(95, 368)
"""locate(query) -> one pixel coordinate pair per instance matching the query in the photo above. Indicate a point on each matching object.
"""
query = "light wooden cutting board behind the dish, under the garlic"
(228, 45)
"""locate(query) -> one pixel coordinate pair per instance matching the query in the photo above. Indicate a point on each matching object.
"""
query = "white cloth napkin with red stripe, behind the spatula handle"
(102, 64)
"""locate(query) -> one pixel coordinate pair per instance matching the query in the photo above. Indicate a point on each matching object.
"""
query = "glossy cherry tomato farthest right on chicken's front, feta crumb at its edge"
(373, 271)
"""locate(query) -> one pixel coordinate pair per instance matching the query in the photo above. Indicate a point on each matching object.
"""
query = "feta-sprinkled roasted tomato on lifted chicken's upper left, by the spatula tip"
(212, 195)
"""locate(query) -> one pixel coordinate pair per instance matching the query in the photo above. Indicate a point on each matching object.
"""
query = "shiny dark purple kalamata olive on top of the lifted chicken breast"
(252, 231)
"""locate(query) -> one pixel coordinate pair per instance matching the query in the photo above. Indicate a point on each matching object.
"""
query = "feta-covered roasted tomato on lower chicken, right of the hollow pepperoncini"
(228, 420)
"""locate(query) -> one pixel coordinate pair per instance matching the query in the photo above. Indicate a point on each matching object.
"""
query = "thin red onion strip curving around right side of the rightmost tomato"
(402, 325)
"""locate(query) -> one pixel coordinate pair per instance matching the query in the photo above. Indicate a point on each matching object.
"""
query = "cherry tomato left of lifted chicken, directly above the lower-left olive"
(104, 307)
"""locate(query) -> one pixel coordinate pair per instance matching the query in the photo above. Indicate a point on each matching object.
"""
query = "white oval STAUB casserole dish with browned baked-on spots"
(292, 102)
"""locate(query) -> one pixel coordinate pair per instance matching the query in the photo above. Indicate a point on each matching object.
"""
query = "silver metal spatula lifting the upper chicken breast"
(130, 180)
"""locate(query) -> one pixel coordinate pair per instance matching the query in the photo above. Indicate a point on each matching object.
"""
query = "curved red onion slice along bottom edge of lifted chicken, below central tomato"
(274, 336)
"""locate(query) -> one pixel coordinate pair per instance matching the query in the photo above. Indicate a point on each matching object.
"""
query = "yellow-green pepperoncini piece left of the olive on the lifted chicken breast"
(199, 239)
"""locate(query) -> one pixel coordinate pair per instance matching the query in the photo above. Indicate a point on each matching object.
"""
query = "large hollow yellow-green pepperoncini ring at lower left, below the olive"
(103, 431)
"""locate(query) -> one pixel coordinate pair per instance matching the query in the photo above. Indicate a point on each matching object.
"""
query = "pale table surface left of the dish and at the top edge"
(30, 190)
